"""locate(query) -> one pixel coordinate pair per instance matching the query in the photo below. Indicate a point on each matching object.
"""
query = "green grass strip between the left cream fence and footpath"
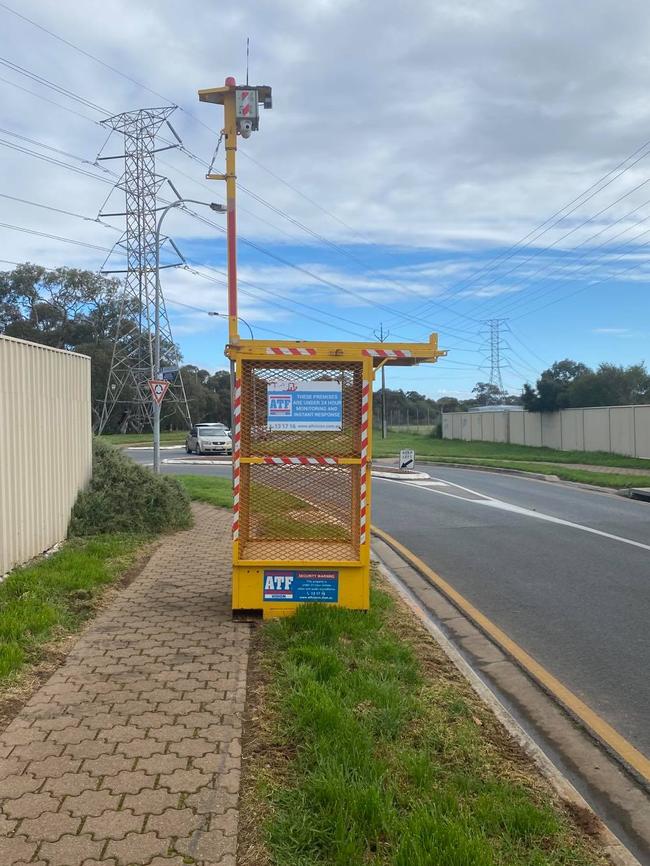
(56, 595)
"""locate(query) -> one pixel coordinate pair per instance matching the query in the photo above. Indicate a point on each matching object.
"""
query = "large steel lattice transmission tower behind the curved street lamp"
(128, 397)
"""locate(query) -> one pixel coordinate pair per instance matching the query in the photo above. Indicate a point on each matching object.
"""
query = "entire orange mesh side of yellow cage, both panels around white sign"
(299, 512)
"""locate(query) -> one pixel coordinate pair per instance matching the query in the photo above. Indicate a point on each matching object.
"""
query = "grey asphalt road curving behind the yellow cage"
(565, 572)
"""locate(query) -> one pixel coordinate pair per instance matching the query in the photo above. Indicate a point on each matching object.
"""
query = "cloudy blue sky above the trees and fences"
(425, 167)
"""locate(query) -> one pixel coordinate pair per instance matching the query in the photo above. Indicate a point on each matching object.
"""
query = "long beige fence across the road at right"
(616, 429)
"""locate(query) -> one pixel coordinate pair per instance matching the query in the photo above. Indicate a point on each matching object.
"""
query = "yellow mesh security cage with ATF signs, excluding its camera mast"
(301, 471)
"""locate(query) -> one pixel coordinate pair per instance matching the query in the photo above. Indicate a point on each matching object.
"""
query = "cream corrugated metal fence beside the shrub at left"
(45, 445)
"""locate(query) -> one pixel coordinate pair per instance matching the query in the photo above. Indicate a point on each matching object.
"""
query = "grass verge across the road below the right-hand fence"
(427, 446)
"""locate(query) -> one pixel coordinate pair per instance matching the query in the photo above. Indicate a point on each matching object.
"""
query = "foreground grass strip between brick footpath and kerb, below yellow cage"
(367, 762)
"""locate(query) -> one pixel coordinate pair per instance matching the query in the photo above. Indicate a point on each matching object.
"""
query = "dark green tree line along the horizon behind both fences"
(79, 310)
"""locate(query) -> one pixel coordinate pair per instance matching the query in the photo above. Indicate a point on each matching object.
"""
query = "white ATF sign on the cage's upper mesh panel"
(304, 405)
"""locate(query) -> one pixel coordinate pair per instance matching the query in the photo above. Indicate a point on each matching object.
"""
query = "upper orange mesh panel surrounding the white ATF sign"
(258, 439)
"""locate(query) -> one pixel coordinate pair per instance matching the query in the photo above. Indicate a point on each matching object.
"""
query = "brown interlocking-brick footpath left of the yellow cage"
(130, 754)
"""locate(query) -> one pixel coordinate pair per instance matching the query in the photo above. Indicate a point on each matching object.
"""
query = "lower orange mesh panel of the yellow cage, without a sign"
(299, 512)
